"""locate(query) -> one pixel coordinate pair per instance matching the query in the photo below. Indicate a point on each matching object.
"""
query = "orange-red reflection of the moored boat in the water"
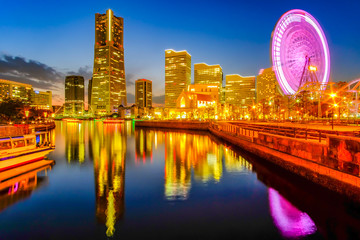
(17, 184)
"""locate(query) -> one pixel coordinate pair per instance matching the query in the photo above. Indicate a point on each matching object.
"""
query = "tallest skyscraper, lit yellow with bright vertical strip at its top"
(108, 84)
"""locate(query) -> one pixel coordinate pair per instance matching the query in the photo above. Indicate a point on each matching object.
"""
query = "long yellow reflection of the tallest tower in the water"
(108, 150)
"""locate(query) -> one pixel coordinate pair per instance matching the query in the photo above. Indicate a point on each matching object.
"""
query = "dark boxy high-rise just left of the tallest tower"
(74, 95)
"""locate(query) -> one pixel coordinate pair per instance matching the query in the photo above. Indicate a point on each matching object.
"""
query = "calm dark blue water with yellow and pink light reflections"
(112, 181)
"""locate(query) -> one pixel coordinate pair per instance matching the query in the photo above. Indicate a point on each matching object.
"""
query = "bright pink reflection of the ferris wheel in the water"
(291, 222)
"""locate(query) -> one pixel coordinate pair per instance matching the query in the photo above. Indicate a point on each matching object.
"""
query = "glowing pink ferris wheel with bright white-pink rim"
(298, 48)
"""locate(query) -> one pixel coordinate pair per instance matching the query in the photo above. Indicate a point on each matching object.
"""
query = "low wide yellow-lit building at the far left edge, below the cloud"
(15, 90)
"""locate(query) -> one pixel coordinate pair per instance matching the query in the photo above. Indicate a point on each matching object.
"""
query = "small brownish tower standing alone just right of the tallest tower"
(143, 93)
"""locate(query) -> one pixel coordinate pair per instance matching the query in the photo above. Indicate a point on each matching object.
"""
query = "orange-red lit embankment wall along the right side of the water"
(333, 163)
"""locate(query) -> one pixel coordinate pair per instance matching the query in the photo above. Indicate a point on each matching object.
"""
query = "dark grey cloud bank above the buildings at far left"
(32, 72)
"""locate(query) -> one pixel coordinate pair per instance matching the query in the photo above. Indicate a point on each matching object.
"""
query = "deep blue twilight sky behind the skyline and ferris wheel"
(43, 41)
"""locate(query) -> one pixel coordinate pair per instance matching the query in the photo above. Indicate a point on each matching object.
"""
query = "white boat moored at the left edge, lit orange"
(21, 150)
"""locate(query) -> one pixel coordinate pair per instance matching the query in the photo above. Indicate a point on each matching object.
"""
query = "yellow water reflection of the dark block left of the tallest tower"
(74, 142)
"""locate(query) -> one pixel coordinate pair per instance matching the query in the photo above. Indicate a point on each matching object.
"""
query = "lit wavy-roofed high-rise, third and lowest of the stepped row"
(239, 90)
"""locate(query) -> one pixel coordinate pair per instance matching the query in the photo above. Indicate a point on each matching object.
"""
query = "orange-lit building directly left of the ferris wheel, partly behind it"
(266, 85)
